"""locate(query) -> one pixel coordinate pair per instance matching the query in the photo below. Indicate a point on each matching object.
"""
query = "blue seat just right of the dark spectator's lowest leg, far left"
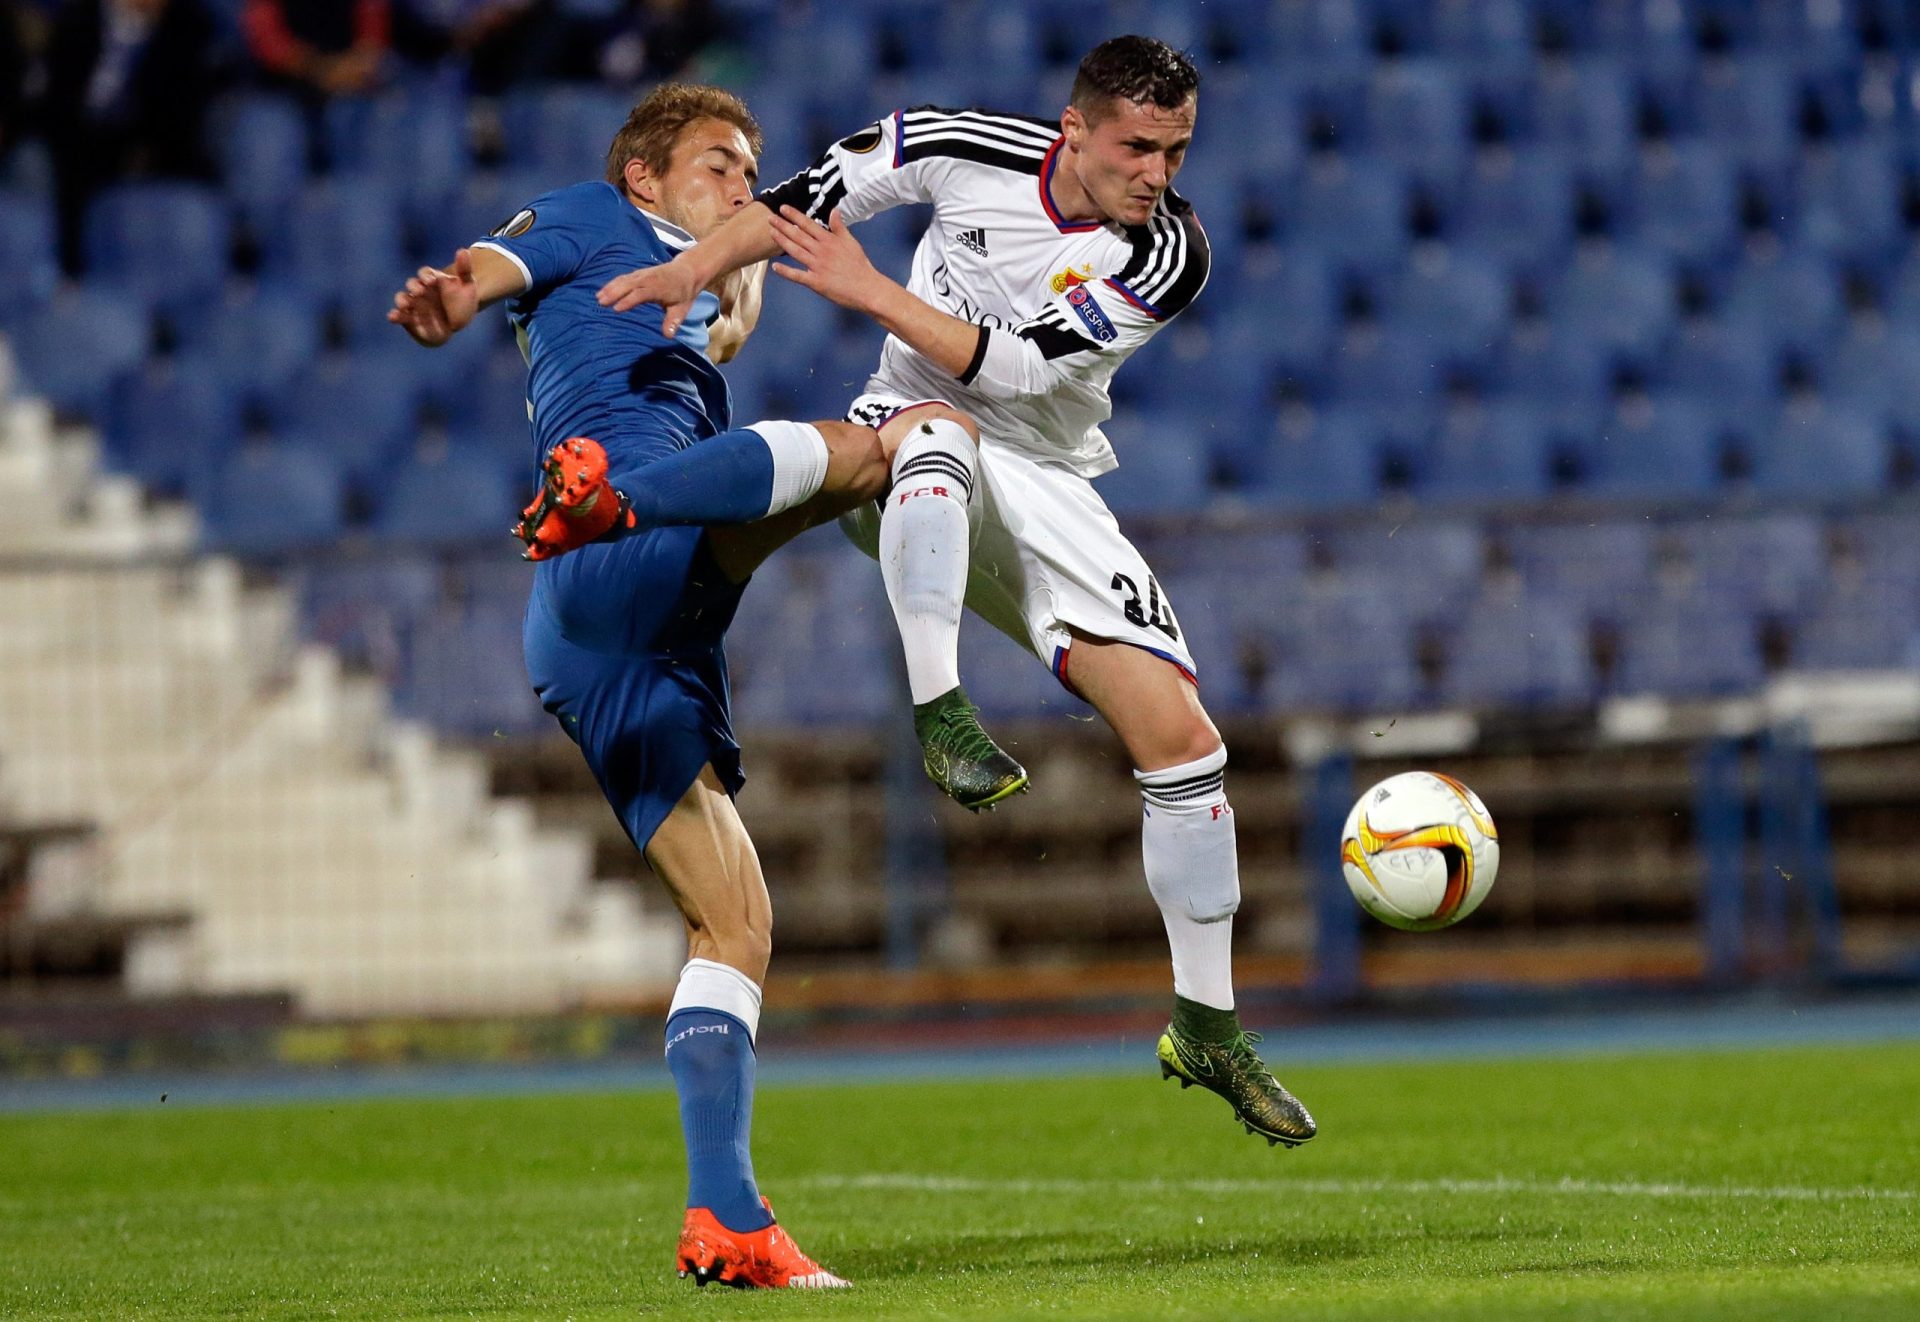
(164, 245)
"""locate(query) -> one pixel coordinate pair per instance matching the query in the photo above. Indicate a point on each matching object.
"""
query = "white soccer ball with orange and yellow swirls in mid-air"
(1420, 851)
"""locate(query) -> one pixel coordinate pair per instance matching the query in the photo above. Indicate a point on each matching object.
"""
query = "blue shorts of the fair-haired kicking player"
(625, 646)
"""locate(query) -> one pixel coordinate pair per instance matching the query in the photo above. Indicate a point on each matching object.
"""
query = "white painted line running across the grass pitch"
(1572, 1189)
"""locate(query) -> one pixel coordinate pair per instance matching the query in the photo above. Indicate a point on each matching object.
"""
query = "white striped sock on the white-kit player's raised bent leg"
(924, 542)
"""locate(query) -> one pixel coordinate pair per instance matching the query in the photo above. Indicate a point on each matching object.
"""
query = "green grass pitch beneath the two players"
(1744, 1185)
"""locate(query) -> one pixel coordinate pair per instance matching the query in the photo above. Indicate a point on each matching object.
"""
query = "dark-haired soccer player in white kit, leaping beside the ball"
(1057, 250)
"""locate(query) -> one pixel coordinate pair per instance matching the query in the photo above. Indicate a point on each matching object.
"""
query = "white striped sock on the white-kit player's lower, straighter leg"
(1193, 872)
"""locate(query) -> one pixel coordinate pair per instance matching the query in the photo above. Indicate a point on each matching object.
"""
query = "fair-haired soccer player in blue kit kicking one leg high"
(640, 569)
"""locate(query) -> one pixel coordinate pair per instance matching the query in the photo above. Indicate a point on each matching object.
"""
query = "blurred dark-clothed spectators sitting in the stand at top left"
(124, 89)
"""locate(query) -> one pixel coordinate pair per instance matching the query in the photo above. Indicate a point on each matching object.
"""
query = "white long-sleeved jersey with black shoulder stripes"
(1061, 304)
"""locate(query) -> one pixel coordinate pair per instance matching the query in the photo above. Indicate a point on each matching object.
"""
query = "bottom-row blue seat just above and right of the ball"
(1510, 649)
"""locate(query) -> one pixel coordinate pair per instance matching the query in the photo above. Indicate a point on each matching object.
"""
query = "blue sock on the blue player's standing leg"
(711, 1058)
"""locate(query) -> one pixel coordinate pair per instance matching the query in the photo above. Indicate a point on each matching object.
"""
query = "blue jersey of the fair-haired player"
(598, 373)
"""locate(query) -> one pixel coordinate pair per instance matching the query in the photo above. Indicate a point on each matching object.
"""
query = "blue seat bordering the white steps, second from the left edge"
(172, 425)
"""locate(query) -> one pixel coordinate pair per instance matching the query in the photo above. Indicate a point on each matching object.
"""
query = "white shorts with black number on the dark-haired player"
(1047, 557)
